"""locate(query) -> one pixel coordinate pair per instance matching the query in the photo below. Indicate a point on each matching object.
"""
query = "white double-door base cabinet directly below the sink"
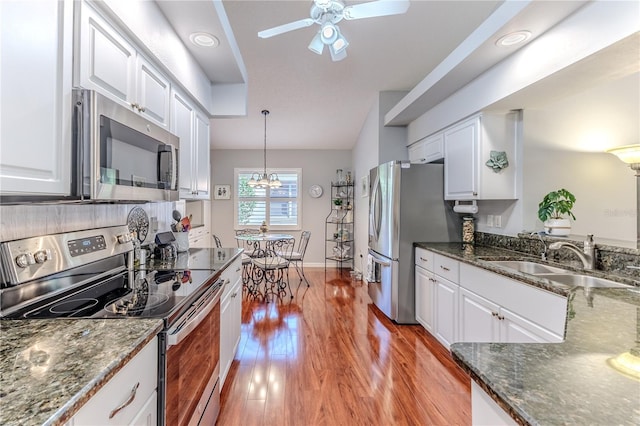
(494, 308)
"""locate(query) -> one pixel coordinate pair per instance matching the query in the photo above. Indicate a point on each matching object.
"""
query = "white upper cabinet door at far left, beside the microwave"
(36, 45)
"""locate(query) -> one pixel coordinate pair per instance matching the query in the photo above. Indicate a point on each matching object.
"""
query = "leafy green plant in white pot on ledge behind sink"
(553, 209)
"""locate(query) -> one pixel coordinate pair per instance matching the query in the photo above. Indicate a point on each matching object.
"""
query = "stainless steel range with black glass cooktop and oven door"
(90, 274)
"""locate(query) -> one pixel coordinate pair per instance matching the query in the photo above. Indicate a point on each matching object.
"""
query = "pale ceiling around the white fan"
(319, 104)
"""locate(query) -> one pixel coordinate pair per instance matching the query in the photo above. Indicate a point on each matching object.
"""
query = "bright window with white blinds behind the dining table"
(279, 207)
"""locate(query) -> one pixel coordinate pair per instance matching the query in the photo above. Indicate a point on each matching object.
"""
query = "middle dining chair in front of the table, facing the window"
(272, 269)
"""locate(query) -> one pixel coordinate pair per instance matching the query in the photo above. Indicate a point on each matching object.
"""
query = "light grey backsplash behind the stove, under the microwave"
(30, 220)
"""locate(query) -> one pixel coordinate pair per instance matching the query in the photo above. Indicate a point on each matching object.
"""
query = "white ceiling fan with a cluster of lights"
(327, 14)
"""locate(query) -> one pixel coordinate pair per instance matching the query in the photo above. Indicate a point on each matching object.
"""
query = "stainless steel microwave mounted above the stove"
(120, 156)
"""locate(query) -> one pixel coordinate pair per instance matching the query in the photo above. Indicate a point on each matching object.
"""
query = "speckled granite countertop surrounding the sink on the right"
(568, 383)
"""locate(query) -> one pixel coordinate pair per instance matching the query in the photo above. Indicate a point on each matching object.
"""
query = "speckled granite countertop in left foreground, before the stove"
(50, 368)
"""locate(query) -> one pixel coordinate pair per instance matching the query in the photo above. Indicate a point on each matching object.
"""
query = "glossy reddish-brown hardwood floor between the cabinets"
(329, 357)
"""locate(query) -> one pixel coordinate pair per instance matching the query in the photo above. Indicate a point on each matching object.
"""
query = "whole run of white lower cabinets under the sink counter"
(457, 302)
